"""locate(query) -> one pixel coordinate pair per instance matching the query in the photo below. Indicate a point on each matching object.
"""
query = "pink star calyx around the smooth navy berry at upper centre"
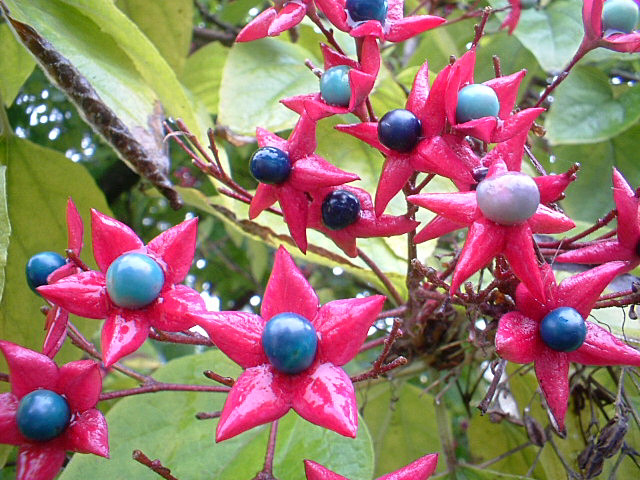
(432, 153)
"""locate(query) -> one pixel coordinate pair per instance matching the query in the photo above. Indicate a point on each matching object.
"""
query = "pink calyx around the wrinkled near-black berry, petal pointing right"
(367, 225)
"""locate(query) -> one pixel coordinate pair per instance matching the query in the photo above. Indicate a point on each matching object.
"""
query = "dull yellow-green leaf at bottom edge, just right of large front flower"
(402, 423)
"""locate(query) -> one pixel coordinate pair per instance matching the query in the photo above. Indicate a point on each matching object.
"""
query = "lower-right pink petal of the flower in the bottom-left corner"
(88, 433)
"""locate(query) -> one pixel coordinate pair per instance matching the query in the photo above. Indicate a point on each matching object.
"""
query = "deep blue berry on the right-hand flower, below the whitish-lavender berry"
(563, 329)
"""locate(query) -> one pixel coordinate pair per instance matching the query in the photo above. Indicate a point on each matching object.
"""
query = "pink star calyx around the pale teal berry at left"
(125, 329)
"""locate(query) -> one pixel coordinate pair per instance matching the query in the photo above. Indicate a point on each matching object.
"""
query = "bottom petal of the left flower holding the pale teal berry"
(123, 332)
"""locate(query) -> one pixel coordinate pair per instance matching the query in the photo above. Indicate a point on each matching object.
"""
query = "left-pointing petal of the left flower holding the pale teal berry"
(83, 294)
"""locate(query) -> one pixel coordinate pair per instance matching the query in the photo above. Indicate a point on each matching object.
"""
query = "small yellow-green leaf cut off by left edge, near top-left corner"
(15, 65)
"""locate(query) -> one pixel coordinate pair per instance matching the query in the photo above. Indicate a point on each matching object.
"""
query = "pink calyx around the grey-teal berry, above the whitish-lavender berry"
(487, 129)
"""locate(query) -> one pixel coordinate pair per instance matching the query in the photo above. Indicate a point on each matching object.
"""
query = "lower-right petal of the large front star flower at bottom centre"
(324, 395)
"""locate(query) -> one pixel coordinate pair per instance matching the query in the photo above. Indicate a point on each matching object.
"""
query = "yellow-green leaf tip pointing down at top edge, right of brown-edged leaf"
(167, 23)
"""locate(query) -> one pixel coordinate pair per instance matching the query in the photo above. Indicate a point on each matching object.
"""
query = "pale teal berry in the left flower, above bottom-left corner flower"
(134, 280)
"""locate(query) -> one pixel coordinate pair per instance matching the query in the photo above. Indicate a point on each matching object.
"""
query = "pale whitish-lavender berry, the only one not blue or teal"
(508, 199)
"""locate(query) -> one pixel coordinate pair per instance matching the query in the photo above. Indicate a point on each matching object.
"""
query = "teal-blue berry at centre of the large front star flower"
(290, 342)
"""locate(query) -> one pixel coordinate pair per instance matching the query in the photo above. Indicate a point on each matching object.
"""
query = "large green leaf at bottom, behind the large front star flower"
(163, 425)
